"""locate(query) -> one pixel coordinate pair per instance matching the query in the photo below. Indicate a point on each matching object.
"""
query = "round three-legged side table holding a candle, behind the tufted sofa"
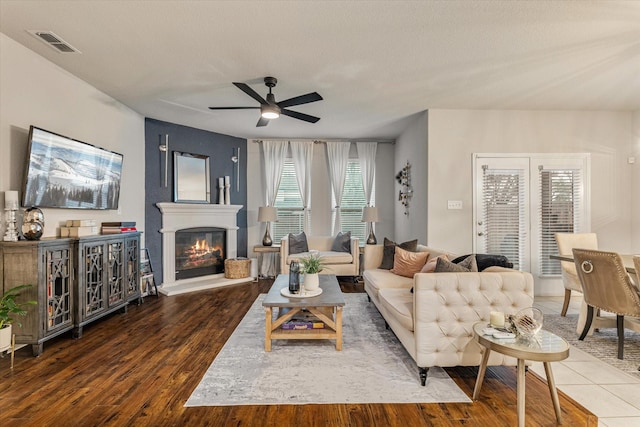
(544, 347)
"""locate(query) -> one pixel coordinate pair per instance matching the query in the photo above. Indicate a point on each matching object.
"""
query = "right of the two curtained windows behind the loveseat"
(353, 201)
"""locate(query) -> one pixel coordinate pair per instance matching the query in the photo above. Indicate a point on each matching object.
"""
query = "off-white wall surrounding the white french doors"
(455, 134)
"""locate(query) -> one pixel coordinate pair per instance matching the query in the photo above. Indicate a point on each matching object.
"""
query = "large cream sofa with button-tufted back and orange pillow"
(435, 322)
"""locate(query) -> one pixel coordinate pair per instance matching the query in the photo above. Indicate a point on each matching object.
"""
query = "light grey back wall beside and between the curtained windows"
(321, 191)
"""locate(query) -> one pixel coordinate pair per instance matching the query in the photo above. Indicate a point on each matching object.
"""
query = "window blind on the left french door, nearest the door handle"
(503, 194)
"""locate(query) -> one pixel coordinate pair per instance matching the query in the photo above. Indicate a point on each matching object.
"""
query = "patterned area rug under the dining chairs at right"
(603, 344)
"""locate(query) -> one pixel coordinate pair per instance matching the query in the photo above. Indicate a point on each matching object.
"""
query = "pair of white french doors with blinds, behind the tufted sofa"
(521, 201)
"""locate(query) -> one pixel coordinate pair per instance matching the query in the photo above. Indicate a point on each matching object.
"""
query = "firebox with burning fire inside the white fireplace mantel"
(200, 251)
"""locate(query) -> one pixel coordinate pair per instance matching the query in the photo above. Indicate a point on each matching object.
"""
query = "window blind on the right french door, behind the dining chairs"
(560, 211)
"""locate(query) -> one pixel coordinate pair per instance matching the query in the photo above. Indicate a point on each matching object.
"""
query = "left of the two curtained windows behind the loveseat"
(289, 204)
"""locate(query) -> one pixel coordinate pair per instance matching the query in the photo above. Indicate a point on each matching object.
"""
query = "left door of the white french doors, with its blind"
(502, 224)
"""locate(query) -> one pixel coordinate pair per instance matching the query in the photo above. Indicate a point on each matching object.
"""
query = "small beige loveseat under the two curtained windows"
(338, 263)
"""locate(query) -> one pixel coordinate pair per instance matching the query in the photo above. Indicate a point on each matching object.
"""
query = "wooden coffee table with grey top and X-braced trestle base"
(327, 307)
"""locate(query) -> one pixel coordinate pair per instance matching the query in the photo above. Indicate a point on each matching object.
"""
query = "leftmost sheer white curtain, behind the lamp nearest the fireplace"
(274, 153)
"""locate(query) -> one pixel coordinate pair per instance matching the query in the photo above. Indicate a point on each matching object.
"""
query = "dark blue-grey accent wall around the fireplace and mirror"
(220, 148)
